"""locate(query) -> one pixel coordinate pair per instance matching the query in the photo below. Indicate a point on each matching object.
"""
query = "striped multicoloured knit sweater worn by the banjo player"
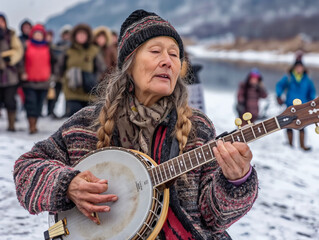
(205, 202)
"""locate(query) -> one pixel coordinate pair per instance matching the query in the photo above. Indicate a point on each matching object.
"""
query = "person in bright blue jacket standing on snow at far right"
(296, 84)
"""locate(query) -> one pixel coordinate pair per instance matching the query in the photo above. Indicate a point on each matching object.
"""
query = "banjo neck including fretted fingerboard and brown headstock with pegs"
(297, 117)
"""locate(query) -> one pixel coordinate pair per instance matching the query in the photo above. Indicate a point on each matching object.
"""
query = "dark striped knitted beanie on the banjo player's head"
(141, 26)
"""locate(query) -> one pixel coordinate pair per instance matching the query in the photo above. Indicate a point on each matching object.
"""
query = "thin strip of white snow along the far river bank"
(267, 57)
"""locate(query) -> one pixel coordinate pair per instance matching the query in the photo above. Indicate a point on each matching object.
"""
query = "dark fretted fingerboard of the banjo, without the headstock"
(188, 161)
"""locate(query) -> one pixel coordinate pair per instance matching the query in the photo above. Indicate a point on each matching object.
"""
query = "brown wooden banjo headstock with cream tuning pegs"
(300, 115)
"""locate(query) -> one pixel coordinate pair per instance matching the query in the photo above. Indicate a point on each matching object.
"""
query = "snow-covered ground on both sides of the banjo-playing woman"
(287, 207)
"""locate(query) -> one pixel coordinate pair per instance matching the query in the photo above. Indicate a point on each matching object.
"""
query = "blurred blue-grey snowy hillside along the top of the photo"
(204, 18)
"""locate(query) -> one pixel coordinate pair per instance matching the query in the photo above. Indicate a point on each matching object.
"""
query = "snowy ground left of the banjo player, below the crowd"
(15, 222)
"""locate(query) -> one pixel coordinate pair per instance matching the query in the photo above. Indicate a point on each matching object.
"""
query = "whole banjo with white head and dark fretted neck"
(141, 209)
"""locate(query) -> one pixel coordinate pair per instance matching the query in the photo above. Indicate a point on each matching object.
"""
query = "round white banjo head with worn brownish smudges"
(128, 178)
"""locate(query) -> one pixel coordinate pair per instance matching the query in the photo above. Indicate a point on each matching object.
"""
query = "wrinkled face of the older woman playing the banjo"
(155, 69)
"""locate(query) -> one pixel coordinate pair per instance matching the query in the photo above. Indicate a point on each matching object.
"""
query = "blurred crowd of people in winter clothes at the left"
(34, 69)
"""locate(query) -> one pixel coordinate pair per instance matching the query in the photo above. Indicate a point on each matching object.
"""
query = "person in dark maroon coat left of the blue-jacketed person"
(249, 93)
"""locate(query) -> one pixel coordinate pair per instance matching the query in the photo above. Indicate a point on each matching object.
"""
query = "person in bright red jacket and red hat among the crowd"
(37, 65)
